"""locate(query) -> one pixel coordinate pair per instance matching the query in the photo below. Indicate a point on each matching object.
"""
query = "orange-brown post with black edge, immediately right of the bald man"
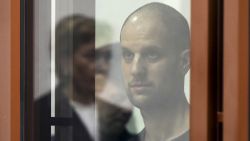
(203, 70)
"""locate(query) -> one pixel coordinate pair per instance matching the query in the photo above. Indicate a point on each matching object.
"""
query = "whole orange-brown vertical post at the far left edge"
(10, 70)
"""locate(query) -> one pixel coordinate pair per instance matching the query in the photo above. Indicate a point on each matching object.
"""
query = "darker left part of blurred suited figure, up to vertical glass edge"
(74, 93)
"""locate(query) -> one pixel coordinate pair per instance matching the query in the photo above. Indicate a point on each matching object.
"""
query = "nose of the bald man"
(138, 67)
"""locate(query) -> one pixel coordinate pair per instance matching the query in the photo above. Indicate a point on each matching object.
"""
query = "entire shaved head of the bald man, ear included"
(154, 40)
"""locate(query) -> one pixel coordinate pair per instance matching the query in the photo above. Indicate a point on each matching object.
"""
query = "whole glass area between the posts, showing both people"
(100, 65)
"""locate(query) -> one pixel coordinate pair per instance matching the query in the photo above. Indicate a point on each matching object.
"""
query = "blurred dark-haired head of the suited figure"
(75, 52)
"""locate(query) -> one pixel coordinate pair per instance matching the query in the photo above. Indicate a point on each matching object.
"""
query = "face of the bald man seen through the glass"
(150, 67)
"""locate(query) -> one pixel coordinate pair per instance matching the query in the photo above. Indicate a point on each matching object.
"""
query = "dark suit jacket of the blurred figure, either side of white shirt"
(71, 128)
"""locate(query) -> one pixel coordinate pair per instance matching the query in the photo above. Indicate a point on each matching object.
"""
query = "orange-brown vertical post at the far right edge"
(236, 70)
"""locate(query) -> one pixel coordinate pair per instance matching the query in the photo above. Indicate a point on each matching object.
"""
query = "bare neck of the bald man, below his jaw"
(166, 123)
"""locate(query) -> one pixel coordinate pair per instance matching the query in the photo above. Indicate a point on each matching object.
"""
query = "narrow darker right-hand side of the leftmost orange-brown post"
(15, 70)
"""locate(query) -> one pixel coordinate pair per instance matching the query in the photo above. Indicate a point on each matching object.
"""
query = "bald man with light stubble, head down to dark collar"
(155, 44)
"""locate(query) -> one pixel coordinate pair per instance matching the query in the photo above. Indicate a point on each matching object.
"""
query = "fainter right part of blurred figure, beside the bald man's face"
(112, 117)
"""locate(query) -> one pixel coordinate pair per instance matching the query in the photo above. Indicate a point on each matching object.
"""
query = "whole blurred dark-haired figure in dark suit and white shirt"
(77, 118)
